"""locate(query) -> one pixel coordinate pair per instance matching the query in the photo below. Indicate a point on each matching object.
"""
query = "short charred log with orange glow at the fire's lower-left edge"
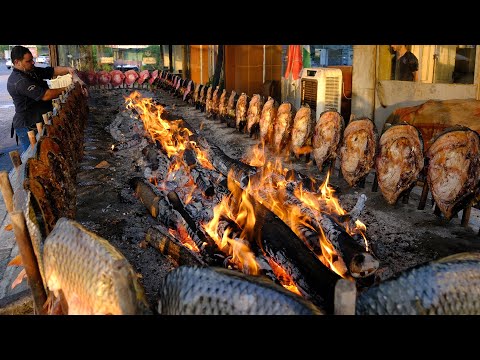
(159, 238)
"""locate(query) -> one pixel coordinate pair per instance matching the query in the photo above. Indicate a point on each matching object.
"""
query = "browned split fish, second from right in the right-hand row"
(399, 161)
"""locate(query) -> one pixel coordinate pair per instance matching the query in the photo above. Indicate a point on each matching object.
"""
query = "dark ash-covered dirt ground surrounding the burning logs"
(401, 236)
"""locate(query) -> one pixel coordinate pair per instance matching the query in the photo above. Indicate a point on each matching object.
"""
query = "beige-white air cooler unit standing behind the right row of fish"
(321, 89)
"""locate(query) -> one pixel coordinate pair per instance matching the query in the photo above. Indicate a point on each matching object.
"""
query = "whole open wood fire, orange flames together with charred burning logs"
(312, 212)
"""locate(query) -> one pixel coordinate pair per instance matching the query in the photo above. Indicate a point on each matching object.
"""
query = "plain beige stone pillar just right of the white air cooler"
(363, 80)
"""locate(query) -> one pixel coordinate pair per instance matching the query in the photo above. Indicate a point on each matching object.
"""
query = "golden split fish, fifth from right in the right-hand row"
(302, 130)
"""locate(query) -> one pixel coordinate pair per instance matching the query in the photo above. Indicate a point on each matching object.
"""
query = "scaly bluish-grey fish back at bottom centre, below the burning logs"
(217, 291)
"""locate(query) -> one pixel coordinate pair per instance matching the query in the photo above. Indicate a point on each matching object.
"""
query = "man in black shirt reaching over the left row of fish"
(30, 93)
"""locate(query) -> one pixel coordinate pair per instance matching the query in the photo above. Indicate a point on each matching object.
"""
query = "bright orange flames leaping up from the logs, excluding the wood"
(233, 222)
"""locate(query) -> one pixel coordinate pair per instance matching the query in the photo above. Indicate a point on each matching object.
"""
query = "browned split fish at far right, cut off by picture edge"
(454, 168)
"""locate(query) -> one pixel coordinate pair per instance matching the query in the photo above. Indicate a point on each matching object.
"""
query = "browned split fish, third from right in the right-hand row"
(359, 147)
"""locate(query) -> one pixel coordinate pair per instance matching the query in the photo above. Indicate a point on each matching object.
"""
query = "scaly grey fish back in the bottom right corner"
(449, 286)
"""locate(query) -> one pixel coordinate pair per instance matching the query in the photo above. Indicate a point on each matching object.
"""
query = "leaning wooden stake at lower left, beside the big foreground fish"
(29, 260)
